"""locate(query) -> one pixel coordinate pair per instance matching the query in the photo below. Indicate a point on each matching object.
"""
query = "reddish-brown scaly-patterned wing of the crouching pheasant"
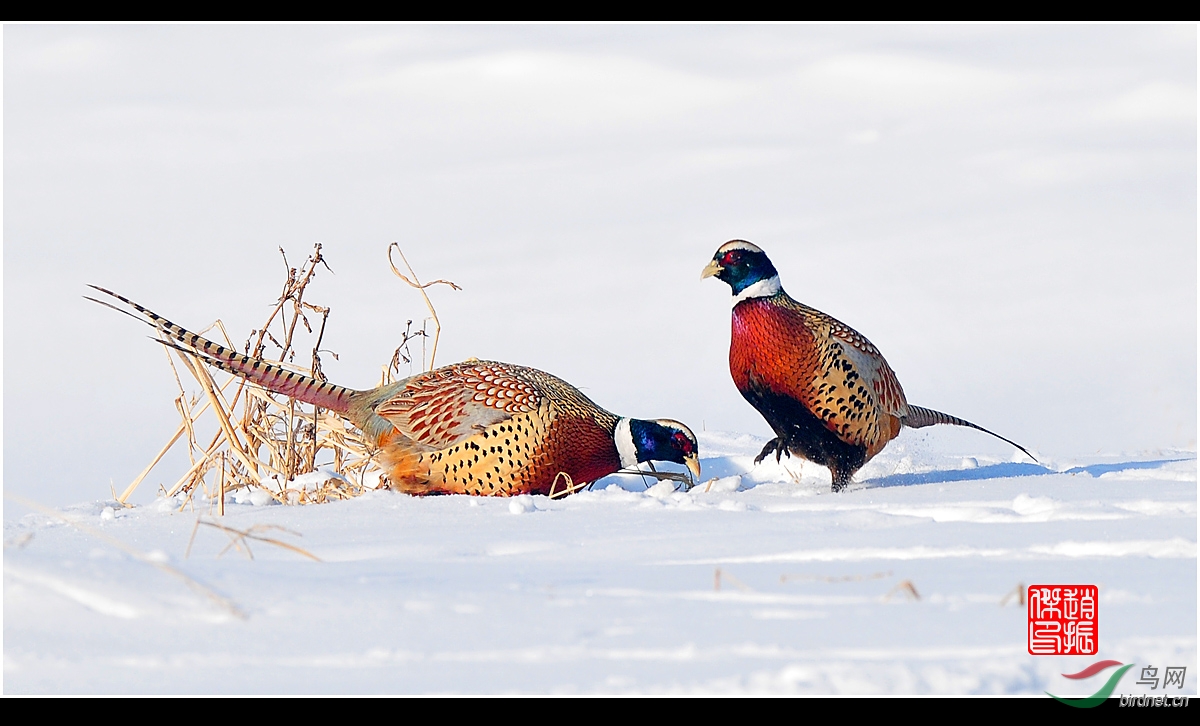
(443, 407)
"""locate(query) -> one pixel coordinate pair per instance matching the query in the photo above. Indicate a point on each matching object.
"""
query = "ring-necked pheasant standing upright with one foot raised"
(825, 389)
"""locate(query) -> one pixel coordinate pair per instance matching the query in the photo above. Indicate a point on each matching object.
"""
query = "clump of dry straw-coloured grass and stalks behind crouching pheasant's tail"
(256, 441)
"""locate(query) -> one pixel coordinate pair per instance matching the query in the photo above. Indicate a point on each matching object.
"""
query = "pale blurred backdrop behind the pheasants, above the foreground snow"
(1009, 213)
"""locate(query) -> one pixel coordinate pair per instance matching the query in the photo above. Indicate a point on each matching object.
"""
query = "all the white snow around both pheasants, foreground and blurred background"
(1009, 213)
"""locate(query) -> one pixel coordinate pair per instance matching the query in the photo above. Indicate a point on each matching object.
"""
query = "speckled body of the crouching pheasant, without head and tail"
(487, 428)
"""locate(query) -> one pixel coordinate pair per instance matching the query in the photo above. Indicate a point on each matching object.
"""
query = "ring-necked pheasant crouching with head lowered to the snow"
(475, 428)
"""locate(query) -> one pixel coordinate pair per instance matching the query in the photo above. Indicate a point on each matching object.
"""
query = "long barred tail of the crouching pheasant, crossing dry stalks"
(269, 376)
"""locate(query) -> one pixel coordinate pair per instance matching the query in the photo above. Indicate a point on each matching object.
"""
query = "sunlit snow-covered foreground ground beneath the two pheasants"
(761, 581)
